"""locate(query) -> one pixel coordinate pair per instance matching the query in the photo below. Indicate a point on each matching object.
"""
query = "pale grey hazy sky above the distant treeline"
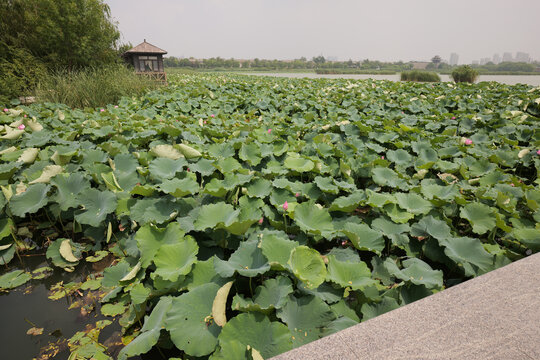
(387, 30)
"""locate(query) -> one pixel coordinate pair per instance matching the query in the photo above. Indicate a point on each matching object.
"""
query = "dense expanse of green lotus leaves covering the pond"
(233, 217)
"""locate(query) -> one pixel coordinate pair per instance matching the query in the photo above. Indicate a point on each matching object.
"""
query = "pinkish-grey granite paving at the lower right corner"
(494, 316)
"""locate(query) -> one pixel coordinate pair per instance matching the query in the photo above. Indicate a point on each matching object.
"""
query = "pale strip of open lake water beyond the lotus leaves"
(533, 80)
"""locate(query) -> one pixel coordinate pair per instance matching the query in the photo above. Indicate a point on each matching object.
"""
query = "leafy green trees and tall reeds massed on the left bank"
(42, 41)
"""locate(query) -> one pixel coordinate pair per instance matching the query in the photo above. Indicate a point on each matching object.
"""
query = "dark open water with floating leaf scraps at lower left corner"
(29, 304)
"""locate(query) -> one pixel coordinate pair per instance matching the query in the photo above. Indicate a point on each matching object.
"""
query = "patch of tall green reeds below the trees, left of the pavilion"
(91, 87)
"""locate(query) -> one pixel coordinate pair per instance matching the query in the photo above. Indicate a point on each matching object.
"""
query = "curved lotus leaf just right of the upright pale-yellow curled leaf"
(272, 294)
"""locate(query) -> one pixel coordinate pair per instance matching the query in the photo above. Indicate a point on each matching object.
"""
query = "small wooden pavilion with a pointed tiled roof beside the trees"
(147, 60)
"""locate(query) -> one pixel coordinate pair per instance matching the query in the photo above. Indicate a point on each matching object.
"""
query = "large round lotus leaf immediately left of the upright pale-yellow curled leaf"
(189, 323)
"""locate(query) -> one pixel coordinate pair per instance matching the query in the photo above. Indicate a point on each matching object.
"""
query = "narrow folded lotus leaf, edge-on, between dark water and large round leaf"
(150, 331)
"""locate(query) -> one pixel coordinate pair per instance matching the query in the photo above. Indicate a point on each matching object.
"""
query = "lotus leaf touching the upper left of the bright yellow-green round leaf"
(277, 248)
